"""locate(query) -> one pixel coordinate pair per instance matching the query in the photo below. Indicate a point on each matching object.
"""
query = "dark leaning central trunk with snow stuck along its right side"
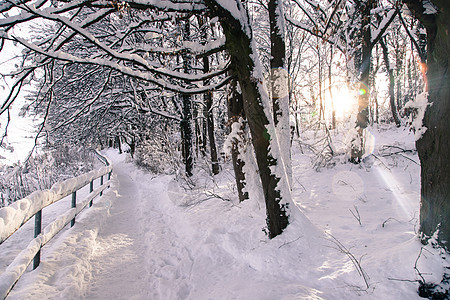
(240, 48)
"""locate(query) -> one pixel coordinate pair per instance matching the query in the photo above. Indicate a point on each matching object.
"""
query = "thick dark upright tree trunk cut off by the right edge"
(434, 146)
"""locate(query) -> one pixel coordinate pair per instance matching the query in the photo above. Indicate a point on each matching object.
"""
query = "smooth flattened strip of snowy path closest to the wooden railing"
(118, 259)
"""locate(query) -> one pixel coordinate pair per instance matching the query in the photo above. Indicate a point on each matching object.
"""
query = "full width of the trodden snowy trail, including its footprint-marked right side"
(138, 255)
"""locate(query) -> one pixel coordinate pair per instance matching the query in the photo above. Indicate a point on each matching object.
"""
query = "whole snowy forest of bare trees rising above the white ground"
(253, 89)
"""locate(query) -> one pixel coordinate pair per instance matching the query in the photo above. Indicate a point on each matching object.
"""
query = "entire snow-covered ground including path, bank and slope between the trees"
(152, 237)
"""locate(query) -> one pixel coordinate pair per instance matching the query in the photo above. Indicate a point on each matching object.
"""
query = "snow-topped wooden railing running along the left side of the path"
(18, 213)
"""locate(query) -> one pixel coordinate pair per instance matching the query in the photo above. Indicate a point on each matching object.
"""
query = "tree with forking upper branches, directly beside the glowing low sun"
(352, 27)
